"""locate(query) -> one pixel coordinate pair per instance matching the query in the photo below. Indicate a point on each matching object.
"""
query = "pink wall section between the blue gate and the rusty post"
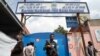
(75, 44)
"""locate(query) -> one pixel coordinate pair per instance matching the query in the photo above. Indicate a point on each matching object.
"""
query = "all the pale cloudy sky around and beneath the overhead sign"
(48, 24)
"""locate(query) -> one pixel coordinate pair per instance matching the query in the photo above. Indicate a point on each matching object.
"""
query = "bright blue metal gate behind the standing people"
(39, 40)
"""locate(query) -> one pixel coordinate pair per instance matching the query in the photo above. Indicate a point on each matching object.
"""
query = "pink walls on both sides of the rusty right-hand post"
(76, 41)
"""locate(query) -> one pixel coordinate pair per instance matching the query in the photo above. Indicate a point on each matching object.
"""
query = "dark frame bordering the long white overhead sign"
(88, 12)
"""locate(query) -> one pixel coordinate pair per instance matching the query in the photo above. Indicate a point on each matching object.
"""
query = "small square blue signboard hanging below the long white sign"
(71, 21)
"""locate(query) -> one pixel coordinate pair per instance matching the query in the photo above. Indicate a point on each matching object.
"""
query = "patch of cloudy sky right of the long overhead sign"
(94, 8)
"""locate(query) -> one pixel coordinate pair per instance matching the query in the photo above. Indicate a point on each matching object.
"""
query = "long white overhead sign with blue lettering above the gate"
(52, 7)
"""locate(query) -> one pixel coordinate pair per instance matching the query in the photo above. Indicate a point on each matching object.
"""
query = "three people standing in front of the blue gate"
(29, 50)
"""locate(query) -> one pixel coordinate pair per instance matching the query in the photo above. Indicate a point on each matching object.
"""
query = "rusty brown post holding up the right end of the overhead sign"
(81, 31)
